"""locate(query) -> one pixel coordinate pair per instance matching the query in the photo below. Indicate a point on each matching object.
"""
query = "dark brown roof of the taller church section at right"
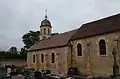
(99, 27)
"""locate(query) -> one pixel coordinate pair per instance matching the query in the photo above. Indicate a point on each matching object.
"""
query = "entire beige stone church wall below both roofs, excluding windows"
(98, 64)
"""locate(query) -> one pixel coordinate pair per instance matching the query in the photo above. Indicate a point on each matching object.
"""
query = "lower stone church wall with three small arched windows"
(60, 65)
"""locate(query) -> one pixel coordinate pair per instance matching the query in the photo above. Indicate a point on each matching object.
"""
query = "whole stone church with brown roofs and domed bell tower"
(88, 48)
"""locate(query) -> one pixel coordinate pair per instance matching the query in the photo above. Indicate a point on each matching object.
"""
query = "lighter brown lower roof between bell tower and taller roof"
(53, 41)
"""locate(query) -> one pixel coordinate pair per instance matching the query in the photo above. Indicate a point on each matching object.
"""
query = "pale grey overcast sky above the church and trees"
(17, 17)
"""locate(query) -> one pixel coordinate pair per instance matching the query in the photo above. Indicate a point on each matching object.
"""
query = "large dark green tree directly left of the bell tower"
(30, 38)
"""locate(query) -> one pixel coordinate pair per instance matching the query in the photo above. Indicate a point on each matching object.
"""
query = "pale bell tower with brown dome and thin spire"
(45, 28)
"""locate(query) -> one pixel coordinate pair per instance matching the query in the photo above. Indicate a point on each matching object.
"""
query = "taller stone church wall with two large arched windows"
(99, 65)
